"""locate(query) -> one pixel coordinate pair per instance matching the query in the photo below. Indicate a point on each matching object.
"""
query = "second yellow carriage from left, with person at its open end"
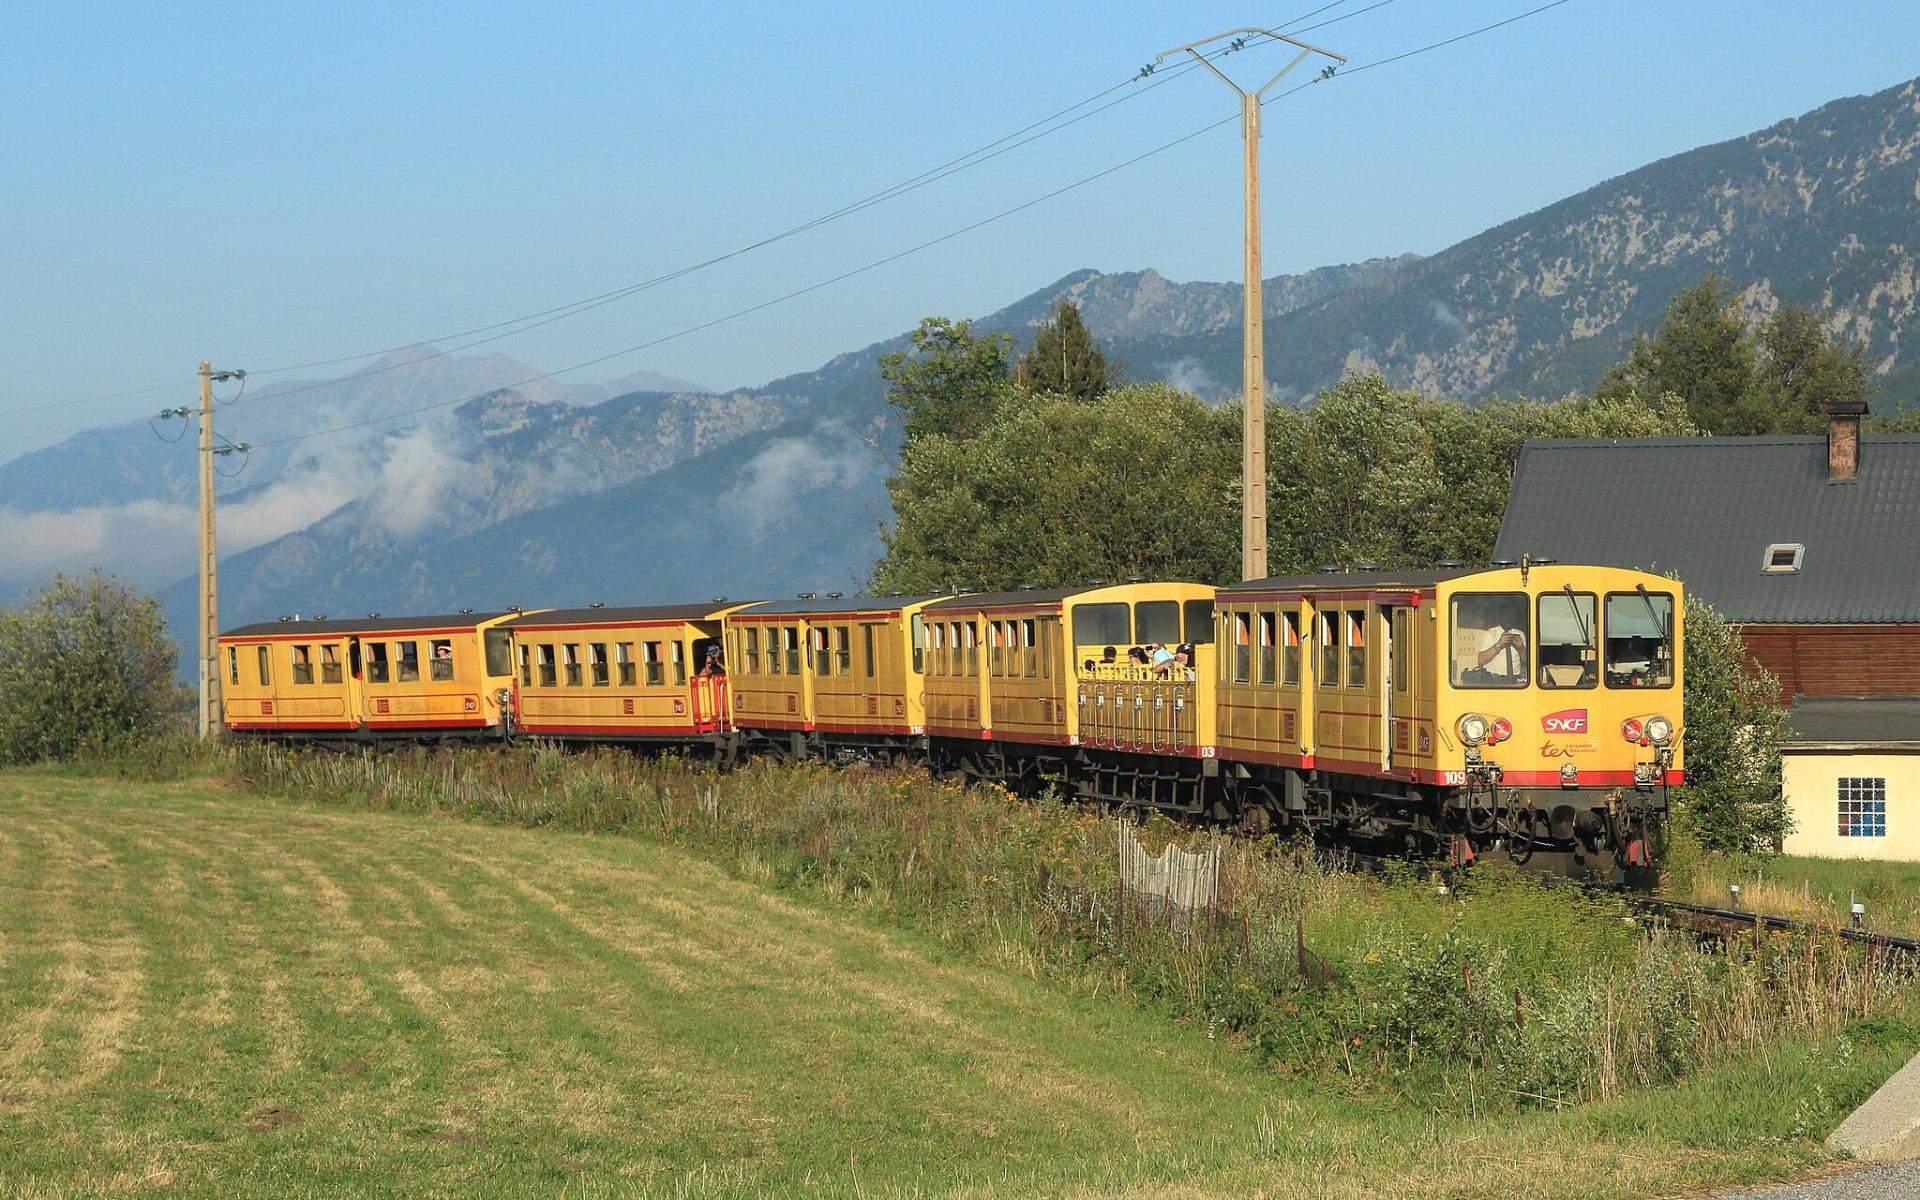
(623, 675)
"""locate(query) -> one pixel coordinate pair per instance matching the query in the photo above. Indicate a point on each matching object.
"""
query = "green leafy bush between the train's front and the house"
(1731, 736)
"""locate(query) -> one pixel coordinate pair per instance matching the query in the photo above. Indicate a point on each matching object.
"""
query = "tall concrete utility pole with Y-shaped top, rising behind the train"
(1255, 427)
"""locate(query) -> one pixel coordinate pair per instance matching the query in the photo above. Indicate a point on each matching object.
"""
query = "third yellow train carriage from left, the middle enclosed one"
(844, 671)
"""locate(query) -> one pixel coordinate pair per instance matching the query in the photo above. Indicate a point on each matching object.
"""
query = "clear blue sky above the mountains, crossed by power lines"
(304, 181)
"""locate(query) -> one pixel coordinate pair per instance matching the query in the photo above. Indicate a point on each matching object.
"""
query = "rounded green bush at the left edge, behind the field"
(85, 665)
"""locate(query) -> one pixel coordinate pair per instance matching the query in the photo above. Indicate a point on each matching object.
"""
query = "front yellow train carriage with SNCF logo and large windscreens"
(1527, 708)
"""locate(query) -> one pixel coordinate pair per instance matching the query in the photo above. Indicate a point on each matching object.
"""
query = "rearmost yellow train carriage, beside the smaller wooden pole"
(370, 679)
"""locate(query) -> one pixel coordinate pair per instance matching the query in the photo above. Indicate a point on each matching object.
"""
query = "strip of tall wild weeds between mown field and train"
(1520, 990)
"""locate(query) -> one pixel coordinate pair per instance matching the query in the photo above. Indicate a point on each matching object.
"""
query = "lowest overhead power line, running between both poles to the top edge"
(919, 249)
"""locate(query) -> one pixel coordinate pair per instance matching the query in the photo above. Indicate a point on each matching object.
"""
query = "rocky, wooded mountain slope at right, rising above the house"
(1819, 210)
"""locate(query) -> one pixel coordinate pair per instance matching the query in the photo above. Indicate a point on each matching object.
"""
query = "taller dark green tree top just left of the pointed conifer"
(951, 383)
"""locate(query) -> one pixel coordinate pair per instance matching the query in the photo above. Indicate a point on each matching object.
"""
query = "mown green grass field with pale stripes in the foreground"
(222, 996)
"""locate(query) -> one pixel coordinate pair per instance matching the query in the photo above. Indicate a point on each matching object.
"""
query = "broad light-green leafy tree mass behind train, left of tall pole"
(1055, 492)
